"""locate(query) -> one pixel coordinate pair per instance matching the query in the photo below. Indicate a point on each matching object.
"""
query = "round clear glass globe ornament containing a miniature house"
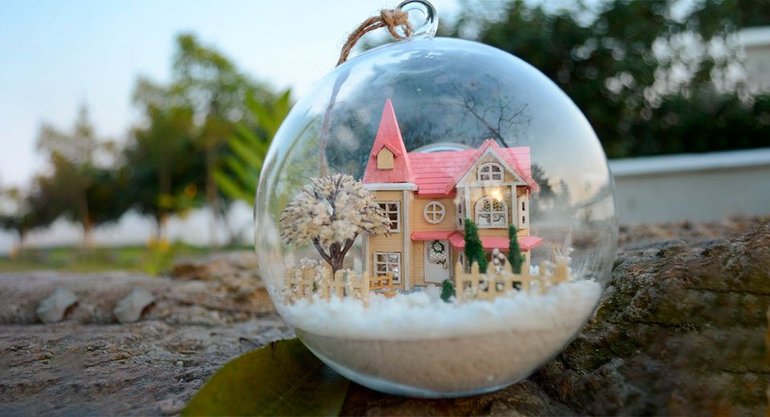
(436, 218)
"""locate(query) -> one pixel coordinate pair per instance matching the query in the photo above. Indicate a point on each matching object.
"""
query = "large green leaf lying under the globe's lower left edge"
(281, 379)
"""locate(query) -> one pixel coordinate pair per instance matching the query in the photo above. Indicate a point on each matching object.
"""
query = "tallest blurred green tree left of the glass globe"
(195, 114)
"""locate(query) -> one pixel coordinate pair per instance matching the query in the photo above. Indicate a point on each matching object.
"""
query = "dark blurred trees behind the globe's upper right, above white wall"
(652, 77)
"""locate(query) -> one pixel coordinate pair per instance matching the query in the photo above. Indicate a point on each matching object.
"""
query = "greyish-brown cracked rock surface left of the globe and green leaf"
(89, 365)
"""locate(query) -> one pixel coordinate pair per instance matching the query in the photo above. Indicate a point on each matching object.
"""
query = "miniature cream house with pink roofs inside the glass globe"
(428, 195)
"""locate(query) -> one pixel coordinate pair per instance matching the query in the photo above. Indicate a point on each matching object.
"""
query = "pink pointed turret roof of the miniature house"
(388, 136)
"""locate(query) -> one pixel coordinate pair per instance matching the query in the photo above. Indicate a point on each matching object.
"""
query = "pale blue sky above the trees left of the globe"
(58, 55)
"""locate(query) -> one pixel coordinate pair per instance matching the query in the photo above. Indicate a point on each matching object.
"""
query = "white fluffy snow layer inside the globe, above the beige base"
(423, 315)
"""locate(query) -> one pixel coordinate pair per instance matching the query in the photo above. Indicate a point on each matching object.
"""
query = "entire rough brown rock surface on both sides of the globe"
(680, 330)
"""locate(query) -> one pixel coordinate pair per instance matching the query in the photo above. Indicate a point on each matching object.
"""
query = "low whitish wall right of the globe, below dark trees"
(699, 188)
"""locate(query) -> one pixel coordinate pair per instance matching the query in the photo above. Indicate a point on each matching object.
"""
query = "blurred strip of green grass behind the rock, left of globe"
(155, 258)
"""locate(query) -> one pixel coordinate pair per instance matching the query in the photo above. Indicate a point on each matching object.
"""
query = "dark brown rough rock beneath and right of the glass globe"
(681, 330)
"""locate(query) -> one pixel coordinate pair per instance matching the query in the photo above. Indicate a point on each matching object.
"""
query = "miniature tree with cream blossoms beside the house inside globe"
(330, 213)
